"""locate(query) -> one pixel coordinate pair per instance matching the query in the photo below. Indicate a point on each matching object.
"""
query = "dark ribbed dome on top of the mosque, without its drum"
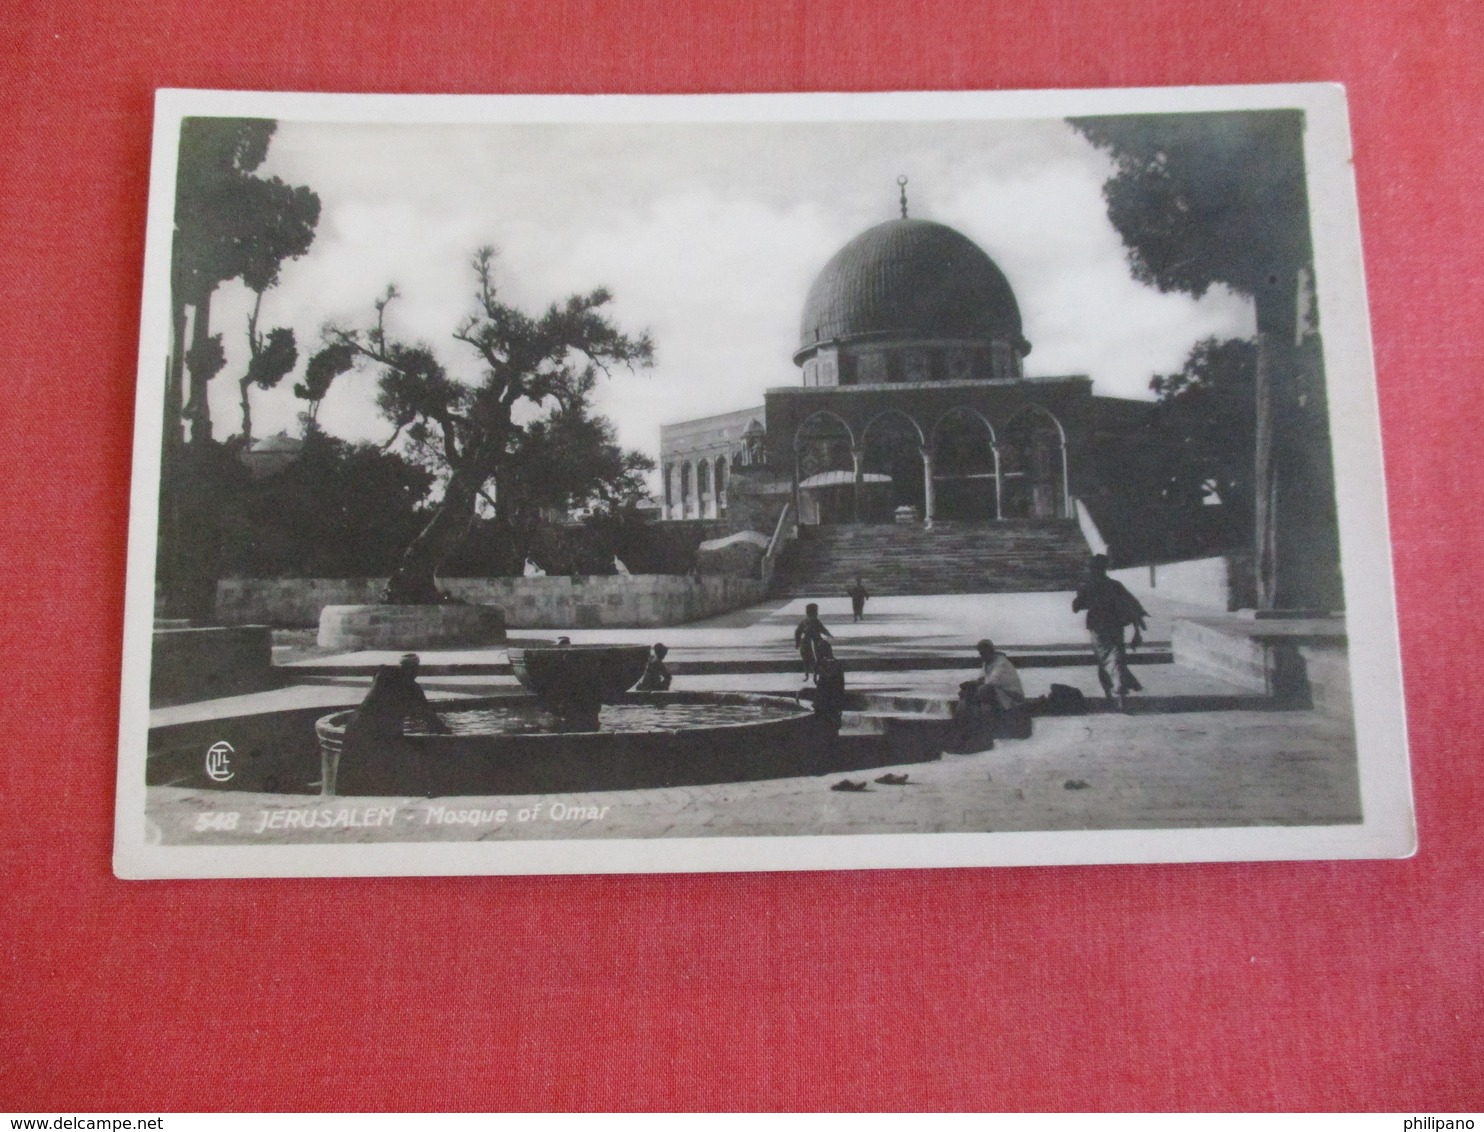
(910, 280)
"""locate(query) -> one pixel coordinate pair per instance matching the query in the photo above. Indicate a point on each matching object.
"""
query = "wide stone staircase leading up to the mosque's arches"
(1010, 557)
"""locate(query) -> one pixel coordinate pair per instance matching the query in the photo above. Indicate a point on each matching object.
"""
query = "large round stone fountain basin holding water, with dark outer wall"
(514, 746)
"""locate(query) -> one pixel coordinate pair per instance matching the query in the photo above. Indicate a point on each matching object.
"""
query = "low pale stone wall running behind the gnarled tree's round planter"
(633, 602)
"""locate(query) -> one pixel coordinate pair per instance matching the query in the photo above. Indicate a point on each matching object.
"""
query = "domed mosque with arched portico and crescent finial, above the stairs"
(915, 407)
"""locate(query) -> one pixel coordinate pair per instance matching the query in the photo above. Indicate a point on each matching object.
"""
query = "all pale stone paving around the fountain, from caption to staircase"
(1192, 751)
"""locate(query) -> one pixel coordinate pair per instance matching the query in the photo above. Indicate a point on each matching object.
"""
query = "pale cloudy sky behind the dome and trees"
(709, 235)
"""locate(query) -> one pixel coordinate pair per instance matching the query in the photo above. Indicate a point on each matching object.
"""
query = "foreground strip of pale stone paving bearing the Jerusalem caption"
(1097, 772)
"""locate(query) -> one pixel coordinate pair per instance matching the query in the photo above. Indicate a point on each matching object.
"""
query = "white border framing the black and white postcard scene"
(1388, 829)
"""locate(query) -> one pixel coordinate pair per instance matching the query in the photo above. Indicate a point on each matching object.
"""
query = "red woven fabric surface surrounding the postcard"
(1289, 986)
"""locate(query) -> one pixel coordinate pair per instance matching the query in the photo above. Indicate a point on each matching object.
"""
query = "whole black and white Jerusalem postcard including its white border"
(756, 483)
